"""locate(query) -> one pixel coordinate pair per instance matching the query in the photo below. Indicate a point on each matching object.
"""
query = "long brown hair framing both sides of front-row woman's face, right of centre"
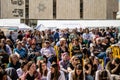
(78, 77)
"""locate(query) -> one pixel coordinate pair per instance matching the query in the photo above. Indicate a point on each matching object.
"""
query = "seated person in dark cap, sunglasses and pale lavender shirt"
(48, 50)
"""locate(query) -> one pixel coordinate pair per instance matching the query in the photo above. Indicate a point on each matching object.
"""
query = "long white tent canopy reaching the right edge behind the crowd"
(78, 23)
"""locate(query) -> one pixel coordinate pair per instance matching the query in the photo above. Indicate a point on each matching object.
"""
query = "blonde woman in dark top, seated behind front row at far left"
(14, 61)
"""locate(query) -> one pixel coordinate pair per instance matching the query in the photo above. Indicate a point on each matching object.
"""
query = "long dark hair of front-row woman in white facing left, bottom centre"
(56, 74)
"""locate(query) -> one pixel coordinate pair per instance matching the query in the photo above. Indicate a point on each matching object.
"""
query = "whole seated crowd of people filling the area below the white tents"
(63, 54)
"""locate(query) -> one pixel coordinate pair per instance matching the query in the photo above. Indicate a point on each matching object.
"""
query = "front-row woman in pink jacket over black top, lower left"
(31, 73)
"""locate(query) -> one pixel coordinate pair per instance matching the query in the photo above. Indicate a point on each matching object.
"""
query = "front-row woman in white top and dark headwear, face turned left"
(54, 73)
